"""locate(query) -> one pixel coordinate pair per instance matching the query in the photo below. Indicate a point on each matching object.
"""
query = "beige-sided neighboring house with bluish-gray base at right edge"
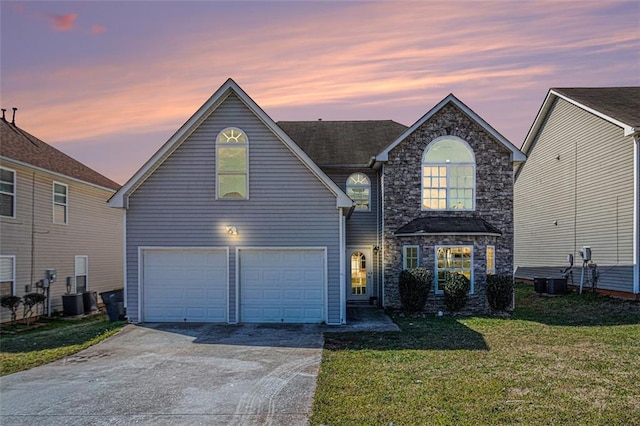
(580, 187)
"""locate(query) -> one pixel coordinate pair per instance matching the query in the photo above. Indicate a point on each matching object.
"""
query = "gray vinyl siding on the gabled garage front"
(288, 206)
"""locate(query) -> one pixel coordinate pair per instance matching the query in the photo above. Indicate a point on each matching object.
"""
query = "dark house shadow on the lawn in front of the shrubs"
(443, 333)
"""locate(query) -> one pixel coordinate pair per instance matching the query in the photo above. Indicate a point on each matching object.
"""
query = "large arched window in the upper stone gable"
(448, 175)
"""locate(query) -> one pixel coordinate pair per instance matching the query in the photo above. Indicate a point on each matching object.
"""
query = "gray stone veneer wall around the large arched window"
(402, 203)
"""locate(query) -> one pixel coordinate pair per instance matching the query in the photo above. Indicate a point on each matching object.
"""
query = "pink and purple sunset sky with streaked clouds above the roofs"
(108, 82)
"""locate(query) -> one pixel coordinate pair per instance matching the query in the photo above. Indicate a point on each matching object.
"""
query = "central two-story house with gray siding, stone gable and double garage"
(239, 219)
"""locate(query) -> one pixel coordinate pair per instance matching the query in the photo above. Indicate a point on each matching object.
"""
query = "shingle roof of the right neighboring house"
(620, 103)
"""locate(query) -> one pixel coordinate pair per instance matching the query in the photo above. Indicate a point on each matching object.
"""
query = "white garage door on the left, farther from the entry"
(185, 284)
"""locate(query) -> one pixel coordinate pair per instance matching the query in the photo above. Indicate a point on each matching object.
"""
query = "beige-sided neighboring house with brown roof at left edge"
(54, 215)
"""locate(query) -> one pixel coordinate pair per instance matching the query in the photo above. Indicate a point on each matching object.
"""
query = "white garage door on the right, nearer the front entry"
(282, 286)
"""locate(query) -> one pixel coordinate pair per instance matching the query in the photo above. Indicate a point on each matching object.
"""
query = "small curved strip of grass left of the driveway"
(57, 339)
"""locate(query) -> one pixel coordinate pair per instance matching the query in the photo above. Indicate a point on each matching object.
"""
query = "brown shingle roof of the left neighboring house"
(19, 145)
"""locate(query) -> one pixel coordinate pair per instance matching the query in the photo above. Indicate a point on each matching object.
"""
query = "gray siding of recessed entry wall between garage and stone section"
(362, 226)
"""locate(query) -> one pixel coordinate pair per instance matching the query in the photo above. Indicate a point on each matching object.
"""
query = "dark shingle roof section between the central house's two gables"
(342, 143)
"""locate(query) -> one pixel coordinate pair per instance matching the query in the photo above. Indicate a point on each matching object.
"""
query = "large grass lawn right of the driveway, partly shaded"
(569, 359)
